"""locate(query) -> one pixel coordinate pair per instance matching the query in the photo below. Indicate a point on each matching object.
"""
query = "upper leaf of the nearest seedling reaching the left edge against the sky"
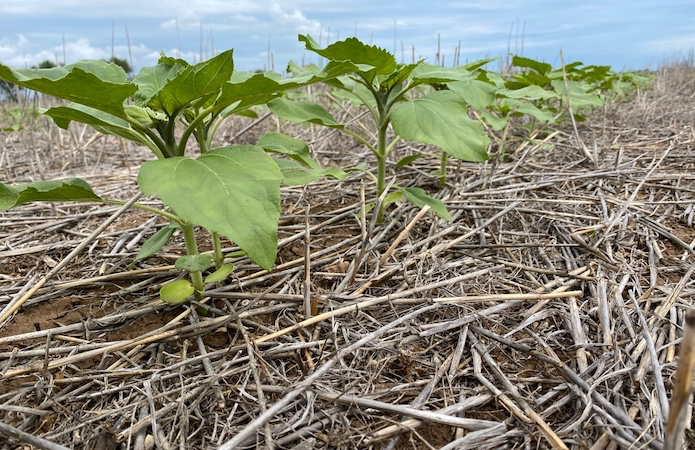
(101, 85)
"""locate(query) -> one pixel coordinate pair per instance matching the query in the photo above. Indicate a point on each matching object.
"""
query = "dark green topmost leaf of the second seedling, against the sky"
(370, 60)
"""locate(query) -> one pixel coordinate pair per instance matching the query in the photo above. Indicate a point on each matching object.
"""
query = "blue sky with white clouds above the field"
(624, 34)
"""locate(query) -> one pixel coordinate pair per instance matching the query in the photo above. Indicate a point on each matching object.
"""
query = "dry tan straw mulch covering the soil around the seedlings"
(547, 314)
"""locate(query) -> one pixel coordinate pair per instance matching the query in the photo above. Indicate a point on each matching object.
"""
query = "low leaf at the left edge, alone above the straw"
(74, 189)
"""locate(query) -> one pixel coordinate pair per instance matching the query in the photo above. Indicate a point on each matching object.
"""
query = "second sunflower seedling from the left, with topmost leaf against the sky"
(387, 90)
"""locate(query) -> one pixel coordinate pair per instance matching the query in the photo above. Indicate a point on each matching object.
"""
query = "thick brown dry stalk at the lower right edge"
(682, 387)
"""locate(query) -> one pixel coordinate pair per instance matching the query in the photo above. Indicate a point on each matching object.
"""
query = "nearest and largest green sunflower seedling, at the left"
(231, 191)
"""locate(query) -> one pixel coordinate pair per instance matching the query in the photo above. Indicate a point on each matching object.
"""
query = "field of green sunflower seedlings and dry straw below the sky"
(360, 255)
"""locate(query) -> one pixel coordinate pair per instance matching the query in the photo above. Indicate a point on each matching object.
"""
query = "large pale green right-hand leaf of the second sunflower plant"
(441, 119)
